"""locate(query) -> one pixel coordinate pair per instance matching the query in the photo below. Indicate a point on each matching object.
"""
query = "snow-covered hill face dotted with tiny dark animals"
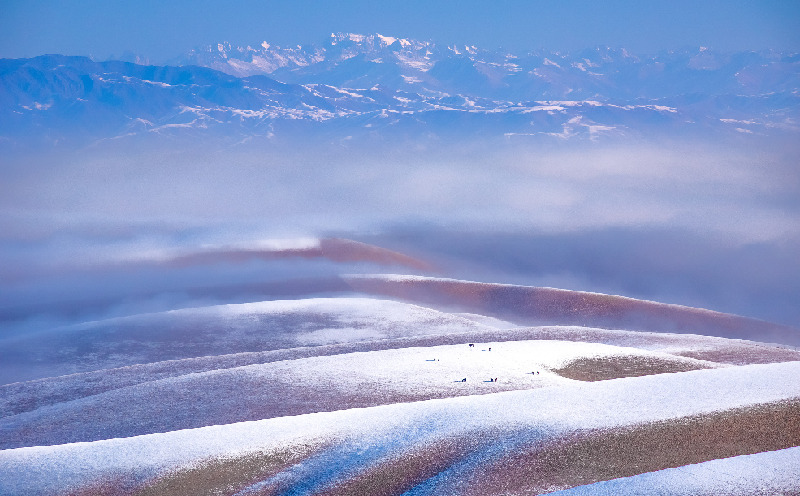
(284, 387)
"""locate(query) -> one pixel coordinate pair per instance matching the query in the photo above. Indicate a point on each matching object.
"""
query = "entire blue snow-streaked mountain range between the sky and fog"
(379, 87)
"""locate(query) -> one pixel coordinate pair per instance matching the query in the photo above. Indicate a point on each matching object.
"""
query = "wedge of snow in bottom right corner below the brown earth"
(768, 473)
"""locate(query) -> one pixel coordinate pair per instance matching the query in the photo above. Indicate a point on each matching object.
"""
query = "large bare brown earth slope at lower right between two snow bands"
(593, 456)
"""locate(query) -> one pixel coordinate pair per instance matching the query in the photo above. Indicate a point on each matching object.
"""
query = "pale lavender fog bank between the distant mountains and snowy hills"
(85, 234)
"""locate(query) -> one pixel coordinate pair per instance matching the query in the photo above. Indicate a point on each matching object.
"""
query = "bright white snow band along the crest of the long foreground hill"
(605, 404)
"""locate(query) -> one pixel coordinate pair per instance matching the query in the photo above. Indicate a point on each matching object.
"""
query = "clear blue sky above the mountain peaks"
(161, 30)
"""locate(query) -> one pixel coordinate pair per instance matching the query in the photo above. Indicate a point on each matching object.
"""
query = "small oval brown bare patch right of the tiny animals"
(615, 367)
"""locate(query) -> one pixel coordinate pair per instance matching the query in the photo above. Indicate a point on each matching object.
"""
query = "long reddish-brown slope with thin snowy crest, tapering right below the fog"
(536, 306)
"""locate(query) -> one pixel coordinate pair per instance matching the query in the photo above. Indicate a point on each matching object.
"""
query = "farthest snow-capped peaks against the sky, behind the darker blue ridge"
(362, 61)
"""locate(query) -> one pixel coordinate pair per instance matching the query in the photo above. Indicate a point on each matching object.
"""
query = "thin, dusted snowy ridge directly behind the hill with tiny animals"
(22, 397)
